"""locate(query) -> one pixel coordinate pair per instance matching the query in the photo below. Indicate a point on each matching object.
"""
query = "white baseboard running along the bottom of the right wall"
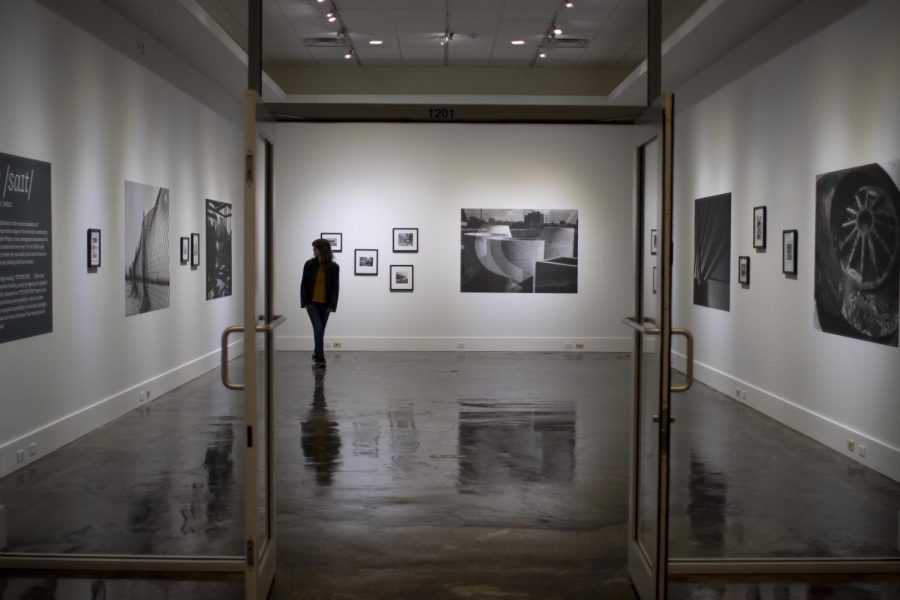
(880, 456)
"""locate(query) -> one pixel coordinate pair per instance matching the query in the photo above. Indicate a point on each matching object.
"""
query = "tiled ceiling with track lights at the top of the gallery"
(411, 30)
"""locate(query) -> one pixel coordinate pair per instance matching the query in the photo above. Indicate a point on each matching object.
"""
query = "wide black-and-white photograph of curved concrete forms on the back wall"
(519, 250)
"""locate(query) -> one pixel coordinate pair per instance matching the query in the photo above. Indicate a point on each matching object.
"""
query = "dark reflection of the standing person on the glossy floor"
(320, 437)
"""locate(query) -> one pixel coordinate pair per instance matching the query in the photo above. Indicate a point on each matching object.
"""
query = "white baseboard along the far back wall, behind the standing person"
(458, 344)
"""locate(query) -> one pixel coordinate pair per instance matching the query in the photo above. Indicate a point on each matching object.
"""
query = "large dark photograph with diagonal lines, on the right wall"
(712, 252)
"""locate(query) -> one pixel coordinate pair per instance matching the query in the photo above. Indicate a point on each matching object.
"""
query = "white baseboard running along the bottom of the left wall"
(69, 428)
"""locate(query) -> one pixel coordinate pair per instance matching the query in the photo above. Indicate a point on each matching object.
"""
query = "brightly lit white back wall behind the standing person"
(362, 180)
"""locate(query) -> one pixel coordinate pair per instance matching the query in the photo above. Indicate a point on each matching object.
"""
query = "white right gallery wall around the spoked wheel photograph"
(827, 103)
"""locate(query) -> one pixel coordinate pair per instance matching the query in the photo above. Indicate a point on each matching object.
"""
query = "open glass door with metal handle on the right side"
(651, 361)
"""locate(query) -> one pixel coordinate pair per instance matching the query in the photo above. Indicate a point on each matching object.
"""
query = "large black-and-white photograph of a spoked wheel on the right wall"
(857, 253)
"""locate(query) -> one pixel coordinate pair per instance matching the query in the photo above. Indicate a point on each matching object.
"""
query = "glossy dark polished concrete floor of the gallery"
(447, 475)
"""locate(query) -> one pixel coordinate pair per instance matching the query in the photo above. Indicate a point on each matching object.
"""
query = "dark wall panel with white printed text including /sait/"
(26, 251)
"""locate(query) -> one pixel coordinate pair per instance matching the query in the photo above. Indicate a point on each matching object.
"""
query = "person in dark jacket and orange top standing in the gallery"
(319, 287)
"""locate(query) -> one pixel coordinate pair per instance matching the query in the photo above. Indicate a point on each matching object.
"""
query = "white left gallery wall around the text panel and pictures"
(100, 119)
